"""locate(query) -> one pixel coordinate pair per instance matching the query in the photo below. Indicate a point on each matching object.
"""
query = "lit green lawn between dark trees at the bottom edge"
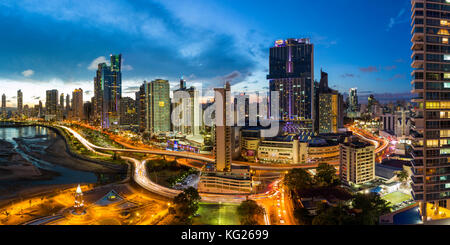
(217, 214)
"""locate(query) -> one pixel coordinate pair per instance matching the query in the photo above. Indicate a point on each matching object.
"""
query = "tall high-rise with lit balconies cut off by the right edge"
(431, 83)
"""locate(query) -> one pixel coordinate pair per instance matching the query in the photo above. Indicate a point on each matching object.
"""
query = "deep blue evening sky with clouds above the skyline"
(56, 43)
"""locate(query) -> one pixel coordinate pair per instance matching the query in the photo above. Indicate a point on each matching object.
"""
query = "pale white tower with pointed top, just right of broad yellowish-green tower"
(188, 119)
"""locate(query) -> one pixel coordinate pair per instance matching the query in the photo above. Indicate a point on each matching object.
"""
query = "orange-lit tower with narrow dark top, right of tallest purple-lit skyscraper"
(329, 107)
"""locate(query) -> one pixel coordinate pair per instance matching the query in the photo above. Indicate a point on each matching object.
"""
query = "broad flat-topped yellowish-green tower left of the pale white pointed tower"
(154, 111)
